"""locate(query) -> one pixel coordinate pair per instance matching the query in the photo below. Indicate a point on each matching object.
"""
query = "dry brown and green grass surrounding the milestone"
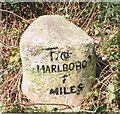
(99, 20)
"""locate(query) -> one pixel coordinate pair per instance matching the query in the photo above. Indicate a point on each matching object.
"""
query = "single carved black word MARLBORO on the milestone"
(56, 68)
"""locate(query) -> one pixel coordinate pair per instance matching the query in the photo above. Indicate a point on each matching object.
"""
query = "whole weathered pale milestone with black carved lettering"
(58, 61)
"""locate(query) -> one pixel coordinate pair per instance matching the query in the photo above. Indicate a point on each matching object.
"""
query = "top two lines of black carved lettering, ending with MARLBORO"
(56, 55)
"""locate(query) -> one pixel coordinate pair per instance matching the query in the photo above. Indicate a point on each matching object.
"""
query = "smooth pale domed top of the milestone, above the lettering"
(50, 30)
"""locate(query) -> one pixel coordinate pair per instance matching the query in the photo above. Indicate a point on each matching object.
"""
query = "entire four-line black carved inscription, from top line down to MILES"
(56, 55)
